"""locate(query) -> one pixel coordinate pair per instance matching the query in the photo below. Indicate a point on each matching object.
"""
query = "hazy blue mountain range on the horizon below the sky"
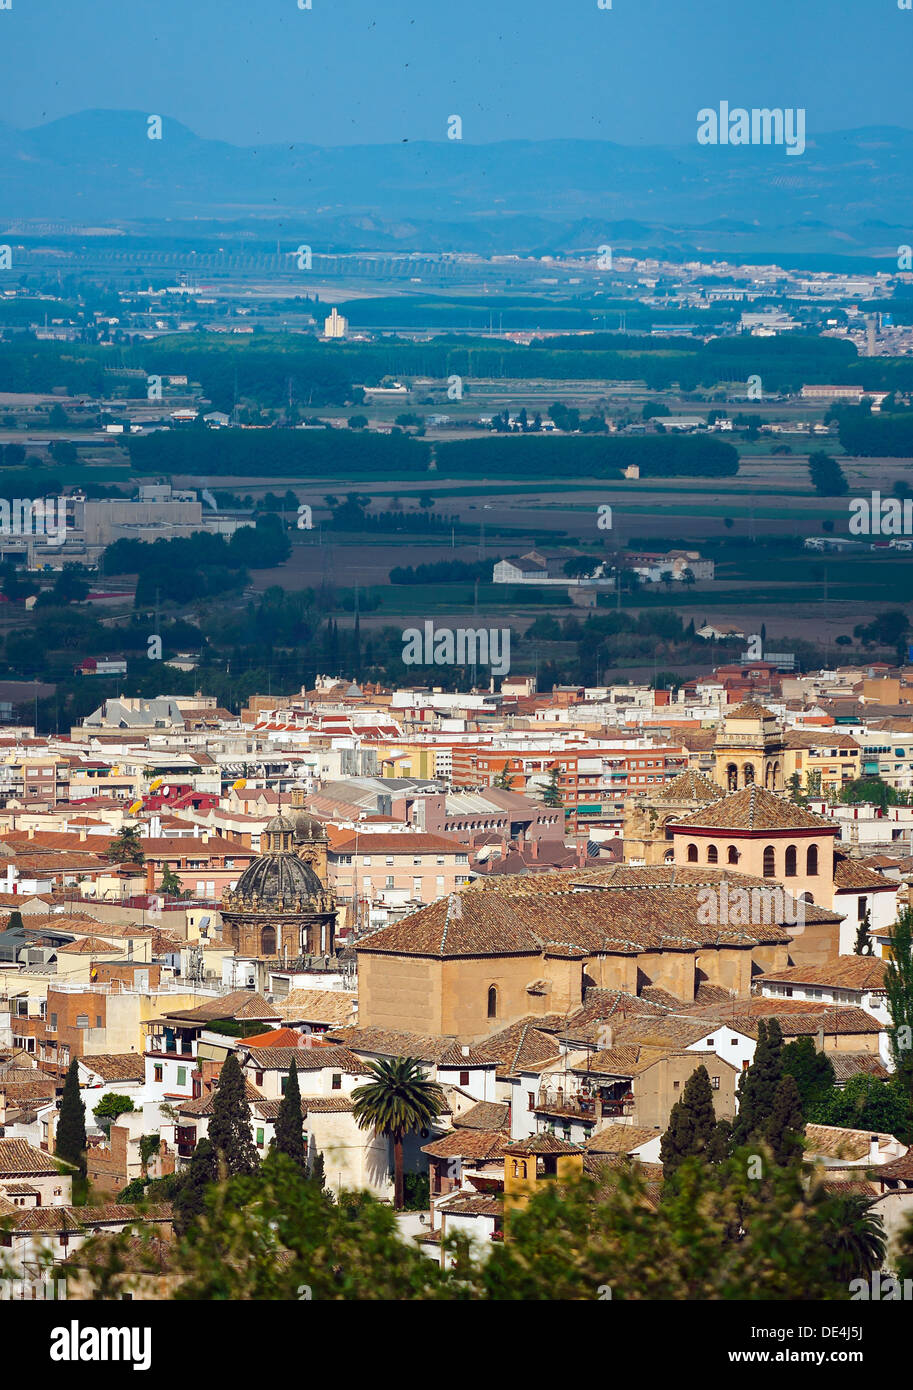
(851, 193)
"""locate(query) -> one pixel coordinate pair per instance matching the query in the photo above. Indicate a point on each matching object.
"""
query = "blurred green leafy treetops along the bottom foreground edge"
(716, 1234)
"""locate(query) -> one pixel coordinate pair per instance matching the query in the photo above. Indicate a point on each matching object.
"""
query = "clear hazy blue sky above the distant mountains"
(354, 72)
